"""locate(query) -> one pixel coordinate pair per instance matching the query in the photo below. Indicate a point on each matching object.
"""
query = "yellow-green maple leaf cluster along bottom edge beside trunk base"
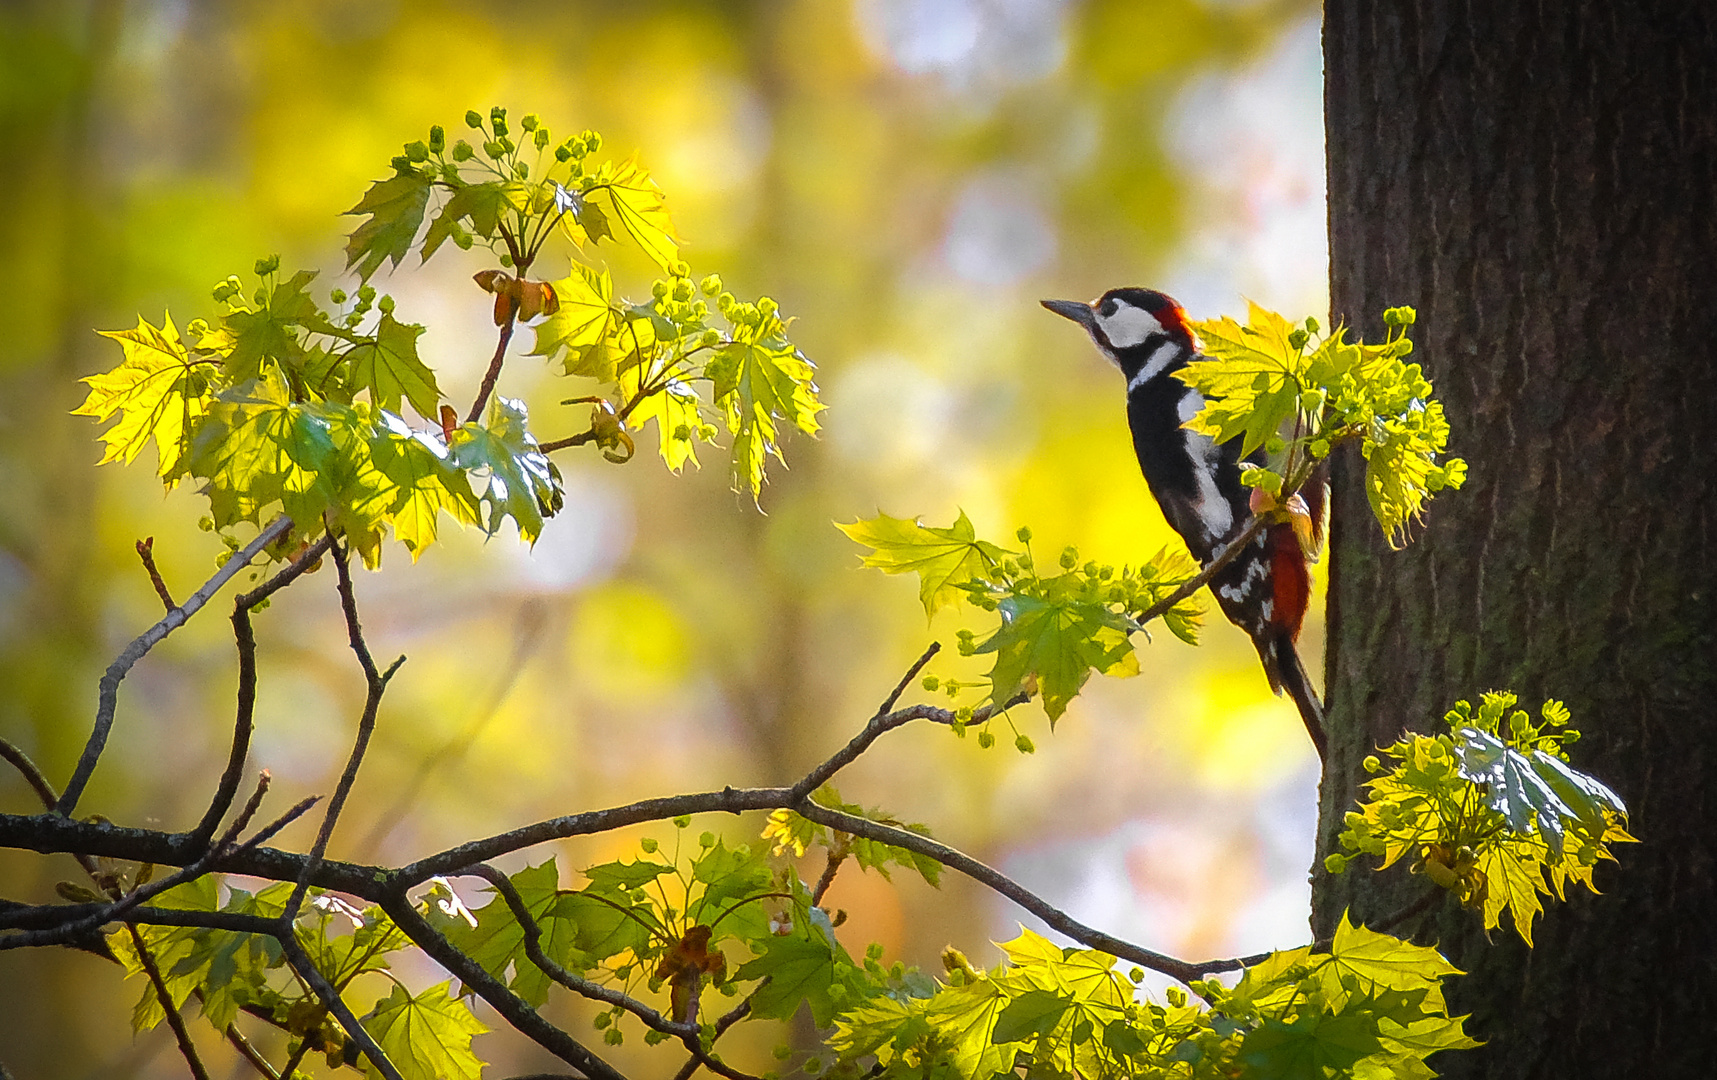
(1371, 1007)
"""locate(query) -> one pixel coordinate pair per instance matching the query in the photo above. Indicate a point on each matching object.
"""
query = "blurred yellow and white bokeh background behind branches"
(907, 178)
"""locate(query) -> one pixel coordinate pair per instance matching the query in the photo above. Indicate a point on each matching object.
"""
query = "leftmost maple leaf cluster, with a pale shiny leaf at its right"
(264, 408)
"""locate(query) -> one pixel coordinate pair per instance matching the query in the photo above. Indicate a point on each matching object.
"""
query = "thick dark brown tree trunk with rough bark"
(1539, 183)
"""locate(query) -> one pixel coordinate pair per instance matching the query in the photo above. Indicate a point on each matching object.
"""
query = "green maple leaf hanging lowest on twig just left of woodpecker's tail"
(1060, 638)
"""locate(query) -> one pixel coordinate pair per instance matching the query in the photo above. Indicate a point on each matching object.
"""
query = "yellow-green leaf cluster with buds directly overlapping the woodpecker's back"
(1268, 379)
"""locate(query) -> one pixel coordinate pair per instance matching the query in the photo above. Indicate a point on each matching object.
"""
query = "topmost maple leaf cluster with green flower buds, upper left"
(518, 190)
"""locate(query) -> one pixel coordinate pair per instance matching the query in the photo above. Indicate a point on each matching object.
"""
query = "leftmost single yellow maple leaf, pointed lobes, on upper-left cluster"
(159, 392)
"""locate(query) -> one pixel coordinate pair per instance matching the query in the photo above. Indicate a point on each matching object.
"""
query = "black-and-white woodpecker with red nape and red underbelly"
(1266, 588)
